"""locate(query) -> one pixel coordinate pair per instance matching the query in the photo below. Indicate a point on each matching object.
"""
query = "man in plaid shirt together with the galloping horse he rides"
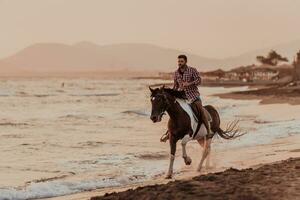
(183, 124)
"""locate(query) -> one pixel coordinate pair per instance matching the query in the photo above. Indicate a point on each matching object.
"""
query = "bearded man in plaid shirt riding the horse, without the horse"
(187, 79)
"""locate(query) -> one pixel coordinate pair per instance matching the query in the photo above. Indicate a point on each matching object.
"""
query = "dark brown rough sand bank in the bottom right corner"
(272, 181)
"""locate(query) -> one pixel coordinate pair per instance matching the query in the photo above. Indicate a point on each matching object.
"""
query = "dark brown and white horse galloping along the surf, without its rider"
(180, 124)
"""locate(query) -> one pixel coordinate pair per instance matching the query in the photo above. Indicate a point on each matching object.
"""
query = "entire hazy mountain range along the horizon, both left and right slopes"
(86, 56)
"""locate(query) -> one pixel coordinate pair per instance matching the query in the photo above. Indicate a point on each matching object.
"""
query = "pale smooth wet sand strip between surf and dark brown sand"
(253, 157)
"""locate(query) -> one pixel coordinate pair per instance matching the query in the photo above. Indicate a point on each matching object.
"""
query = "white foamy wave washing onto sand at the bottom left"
(54, 187)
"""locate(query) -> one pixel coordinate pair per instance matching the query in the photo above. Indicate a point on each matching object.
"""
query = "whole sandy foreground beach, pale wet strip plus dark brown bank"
(241, 158)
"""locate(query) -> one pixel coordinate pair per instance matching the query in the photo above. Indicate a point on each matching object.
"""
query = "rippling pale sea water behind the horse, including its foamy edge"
(63, 136)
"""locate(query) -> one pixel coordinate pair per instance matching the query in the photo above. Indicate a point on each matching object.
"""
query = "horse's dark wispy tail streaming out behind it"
(232, 131)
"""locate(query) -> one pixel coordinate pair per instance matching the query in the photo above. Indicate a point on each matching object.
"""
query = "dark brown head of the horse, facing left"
(159, 103)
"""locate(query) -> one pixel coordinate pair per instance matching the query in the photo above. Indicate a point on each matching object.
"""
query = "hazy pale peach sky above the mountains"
(213, 28)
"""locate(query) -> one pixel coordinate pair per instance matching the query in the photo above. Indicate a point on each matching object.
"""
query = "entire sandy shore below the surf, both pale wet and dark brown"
(243, 158)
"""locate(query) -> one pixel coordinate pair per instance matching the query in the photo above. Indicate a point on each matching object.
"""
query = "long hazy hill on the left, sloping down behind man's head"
(85, 56)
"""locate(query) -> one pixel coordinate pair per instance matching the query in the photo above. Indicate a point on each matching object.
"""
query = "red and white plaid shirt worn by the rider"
(189, 75)
